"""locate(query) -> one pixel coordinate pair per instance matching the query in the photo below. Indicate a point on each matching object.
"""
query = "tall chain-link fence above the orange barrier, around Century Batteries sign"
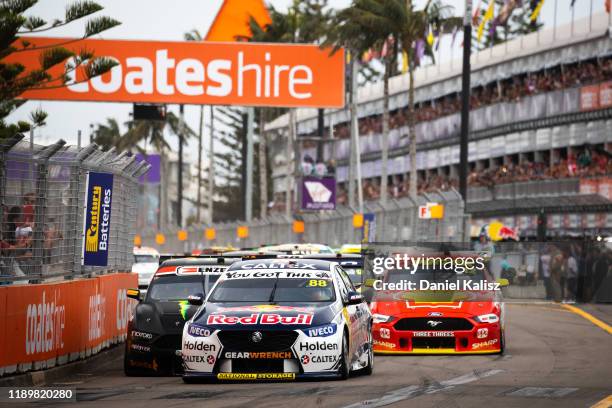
(42, 192)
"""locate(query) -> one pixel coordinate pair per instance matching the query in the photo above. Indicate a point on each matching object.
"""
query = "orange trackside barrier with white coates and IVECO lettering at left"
(49, 324)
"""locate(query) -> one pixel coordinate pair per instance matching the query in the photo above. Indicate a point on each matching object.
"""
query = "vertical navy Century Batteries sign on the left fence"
(97, 218)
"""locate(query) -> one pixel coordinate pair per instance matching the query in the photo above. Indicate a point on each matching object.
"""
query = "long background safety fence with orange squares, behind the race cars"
(397, 220)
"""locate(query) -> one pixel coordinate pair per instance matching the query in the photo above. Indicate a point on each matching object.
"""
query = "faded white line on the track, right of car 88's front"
(415, 390)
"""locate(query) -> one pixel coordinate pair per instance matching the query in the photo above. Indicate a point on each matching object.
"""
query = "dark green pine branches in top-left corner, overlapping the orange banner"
(15, 78)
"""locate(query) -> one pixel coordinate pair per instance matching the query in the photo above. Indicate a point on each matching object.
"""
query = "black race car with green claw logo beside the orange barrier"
(154, 332)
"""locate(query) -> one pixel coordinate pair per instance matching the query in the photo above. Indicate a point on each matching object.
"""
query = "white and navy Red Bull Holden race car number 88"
(279, 319)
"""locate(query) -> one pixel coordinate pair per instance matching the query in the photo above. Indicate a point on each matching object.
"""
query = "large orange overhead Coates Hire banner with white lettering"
(210, 73)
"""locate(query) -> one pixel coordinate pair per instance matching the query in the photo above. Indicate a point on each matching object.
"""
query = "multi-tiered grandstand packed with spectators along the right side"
(540, 132)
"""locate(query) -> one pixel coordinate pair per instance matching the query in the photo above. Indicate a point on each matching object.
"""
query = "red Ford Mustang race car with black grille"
(455, 317)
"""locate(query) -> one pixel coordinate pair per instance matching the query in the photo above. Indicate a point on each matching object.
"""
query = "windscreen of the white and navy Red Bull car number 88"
(297, 290)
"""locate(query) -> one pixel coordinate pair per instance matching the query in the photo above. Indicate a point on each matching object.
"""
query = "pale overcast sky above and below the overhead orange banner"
(169, 20)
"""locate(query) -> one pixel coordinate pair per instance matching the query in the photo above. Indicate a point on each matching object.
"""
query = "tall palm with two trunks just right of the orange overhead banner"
(368, 22)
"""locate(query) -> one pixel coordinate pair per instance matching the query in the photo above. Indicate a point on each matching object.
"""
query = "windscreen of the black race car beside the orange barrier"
(179, 287)
